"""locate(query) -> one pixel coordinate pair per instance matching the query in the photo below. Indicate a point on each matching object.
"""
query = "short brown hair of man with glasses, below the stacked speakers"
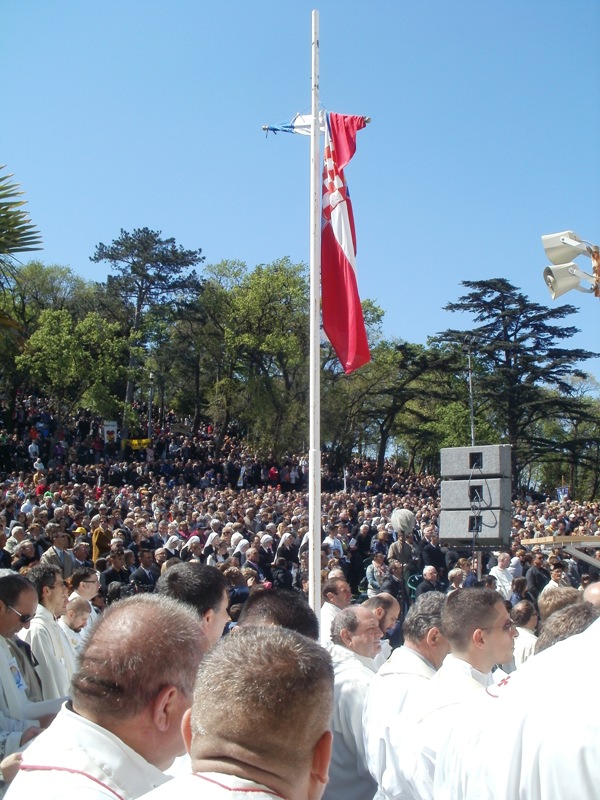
(465, 611)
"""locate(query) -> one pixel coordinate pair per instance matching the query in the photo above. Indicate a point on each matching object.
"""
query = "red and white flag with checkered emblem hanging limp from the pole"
(343, 320)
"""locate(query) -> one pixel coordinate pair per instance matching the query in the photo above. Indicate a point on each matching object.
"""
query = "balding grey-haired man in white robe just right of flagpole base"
(356, 642)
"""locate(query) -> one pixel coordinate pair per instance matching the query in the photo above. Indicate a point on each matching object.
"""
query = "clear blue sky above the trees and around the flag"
(484, 135)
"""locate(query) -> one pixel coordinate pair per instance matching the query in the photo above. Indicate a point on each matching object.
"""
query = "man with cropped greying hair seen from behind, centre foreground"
(277, 742)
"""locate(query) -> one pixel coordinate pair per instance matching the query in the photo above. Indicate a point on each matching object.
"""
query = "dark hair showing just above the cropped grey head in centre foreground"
(282, 607)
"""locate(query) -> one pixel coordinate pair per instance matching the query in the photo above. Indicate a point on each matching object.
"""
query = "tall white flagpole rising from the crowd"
(314, 453)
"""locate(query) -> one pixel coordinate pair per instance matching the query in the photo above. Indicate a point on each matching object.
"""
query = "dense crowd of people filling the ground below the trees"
(105, 550)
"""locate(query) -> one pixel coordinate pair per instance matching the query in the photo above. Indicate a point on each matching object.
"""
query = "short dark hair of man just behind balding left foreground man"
(197, 585)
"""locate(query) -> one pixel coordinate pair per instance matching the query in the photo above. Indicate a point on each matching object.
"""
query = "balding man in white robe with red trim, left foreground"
(124, 725)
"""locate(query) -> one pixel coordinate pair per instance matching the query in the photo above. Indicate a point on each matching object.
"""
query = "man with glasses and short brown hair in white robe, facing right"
(481, 635)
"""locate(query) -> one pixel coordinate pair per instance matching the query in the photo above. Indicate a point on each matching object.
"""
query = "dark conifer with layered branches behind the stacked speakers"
(519, 360)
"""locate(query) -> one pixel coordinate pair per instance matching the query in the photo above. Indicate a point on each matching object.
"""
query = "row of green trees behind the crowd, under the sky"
(229, 346)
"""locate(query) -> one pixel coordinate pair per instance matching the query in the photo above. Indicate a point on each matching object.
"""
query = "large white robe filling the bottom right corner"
(511, 748)
